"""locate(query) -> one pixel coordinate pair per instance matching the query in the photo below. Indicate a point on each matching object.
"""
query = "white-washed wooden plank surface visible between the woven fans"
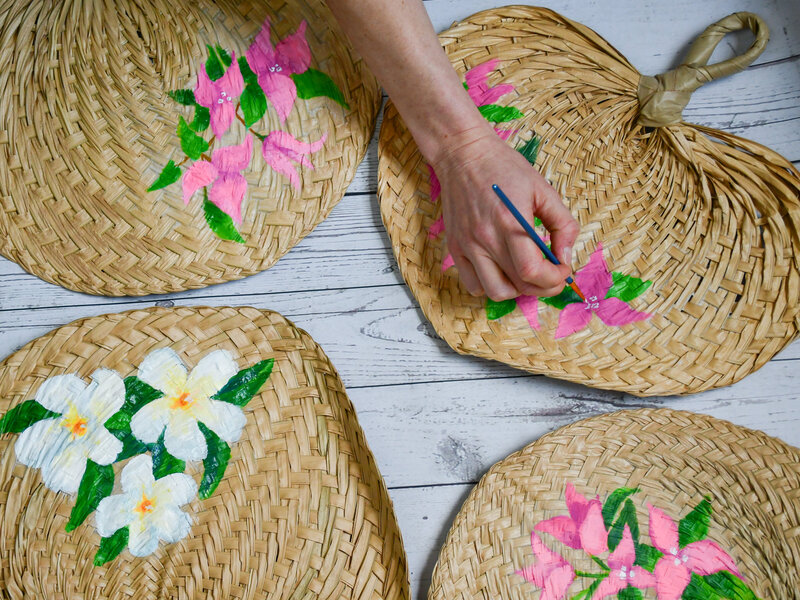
(436, 421)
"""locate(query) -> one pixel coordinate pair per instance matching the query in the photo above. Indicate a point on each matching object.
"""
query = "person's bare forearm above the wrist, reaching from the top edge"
(397, 40)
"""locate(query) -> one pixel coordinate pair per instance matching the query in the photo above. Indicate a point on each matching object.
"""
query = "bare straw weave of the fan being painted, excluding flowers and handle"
(711, 219)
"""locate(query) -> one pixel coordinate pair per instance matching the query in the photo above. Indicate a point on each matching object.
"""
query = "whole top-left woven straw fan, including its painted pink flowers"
(157, 146)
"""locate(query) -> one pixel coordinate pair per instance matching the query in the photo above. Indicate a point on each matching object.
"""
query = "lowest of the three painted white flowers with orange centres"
(148, 508)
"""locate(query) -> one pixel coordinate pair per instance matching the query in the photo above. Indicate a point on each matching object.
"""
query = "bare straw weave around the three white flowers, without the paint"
(301, 513)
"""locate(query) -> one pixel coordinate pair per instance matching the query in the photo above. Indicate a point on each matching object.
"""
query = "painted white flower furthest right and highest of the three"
(187, 400)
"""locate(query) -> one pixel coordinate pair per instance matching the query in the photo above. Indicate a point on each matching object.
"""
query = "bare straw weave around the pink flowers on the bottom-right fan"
(673, 457)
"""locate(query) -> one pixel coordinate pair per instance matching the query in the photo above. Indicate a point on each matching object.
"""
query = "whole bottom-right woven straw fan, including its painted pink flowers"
(645, 504)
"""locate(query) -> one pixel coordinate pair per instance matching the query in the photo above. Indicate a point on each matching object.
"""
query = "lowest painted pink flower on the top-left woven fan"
(224, 172)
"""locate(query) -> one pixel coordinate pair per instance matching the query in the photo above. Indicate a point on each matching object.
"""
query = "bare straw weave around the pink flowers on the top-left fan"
(87, 126)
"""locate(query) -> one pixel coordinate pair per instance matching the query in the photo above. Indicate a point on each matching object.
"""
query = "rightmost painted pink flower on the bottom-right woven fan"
(674, 570)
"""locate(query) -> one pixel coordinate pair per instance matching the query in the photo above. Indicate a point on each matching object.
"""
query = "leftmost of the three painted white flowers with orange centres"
(61, 446)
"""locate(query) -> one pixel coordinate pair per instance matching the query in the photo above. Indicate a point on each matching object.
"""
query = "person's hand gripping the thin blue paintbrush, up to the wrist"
(493, 254)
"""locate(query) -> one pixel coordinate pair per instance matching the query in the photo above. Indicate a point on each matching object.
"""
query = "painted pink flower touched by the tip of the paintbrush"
(595, 280)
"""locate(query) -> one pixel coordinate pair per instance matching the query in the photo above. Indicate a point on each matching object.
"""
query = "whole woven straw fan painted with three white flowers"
(186, 453)
